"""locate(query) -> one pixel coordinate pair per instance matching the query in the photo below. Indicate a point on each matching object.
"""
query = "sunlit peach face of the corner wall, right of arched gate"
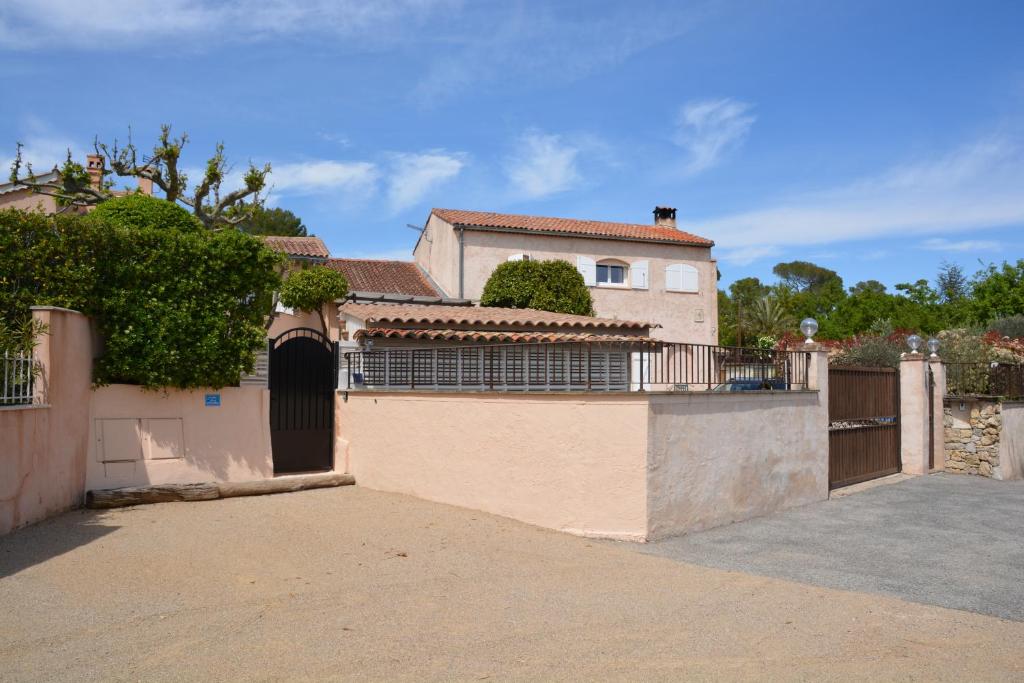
(569, 462)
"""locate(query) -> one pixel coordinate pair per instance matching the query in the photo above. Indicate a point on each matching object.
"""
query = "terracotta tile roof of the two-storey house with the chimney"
(599, 229)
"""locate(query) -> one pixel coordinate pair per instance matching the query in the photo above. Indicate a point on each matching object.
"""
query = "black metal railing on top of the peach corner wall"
(578, 367)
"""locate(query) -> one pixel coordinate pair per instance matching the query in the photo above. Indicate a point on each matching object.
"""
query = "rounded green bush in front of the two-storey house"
(554, 286)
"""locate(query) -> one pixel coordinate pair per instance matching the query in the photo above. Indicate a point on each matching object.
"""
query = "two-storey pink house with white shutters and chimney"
(656, 272)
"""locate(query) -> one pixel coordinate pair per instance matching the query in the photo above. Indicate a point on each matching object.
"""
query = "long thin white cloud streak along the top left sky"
(117, 24)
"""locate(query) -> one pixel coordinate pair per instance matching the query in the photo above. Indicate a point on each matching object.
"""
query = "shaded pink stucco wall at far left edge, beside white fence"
(42, 448)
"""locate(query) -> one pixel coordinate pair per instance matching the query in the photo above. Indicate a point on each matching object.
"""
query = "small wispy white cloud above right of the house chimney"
(710, 130)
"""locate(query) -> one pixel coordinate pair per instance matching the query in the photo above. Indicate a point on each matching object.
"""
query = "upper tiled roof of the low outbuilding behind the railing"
(371, 314)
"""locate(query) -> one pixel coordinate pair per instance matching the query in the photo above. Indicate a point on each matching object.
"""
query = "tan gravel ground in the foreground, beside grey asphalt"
(353, 584)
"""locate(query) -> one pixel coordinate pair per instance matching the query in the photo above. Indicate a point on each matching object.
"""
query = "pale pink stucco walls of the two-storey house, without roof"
(684, 317)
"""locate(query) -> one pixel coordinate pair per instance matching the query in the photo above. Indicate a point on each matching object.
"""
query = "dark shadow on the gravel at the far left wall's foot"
(38, 543)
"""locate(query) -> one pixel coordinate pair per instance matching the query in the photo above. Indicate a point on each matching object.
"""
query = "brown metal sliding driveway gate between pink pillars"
(864, 429)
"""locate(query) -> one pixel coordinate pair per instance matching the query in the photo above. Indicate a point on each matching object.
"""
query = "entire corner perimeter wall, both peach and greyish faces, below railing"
(633, 466)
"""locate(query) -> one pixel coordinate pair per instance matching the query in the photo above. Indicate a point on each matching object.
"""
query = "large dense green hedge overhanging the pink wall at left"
(177, 309)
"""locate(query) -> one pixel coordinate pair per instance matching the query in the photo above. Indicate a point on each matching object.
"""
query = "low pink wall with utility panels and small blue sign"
(140, 438)
